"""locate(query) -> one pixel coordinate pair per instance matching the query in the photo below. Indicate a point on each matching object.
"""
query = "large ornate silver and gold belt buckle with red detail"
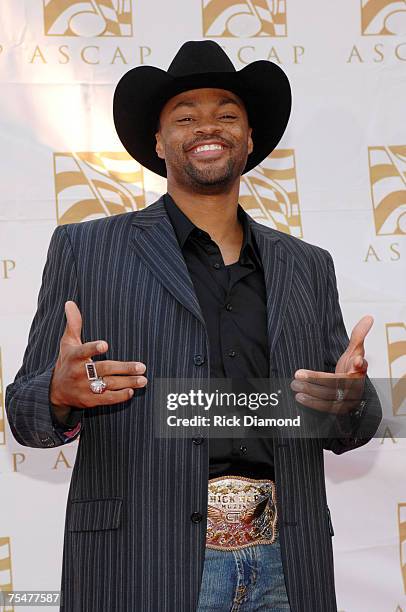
(241, 512)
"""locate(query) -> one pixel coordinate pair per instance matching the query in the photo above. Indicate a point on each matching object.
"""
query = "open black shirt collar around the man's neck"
(184, 227)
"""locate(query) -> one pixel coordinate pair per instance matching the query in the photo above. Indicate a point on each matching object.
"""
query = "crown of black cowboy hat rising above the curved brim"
(200, 57)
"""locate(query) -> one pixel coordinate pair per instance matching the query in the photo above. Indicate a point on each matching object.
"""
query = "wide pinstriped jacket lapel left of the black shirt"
(156, 244)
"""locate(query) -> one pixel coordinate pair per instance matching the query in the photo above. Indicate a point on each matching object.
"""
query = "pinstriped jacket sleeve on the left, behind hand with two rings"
(28, 407)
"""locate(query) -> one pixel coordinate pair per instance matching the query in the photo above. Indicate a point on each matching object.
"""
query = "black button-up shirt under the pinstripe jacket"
(233, 303)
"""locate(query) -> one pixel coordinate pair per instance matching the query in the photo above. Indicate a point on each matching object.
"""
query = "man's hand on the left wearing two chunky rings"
(70, 387)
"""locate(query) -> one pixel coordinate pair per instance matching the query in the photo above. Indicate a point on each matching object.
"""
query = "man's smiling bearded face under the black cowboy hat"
(204, 138)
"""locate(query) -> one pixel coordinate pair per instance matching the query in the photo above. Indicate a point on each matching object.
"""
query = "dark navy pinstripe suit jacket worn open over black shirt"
(130, 544)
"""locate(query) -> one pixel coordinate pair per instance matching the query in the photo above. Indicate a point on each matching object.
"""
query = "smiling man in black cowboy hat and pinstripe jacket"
(190, 287)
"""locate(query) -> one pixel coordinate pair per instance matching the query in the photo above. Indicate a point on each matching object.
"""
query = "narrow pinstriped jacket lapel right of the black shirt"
(278, 263)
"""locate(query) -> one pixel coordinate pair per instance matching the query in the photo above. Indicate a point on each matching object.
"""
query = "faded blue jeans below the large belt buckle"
(246, 580)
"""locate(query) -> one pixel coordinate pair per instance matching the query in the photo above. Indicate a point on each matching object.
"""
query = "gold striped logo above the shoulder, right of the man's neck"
(269, 193)
